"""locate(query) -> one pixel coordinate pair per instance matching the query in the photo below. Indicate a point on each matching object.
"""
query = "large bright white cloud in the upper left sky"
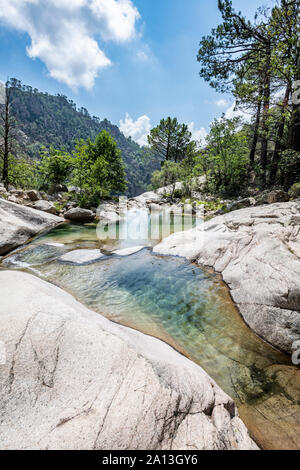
(63, 33)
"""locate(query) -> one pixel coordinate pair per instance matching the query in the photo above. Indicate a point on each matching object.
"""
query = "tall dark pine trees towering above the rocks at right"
(258, 62)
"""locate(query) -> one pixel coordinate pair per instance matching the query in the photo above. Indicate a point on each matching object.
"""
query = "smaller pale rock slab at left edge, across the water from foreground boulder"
(18, 224)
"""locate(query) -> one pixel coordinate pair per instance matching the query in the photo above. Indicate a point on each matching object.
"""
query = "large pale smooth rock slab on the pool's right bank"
(257, 250)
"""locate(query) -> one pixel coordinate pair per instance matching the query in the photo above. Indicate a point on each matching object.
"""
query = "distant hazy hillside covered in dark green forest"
(54, 120)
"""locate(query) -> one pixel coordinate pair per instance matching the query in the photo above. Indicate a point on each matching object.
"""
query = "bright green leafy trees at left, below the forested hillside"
(96, 168)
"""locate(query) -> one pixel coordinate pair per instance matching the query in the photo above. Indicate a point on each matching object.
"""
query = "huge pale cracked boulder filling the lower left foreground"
(73, 380)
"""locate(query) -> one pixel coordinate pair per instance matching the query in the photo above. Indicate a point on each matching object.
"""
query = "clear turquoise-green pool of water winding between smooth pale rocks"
(178, 302)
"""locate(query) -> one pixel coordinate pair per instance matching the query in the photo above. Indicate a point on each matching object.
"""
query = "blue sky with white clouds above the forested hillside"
(137, 59)
